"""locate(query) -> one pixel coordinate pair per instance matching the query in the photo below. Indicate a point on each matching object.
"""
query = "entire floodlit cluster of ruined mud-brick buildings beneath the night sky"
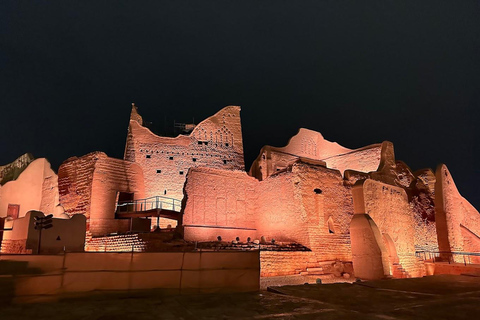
(334, 203)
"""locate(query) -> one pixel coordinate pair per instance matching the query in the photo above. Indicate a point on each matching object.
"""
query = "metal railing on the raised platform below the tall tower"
(152, 203)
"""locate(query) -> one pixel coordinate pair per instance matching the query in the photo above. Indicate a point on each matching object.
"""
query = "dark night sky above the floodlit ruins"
(359, 72)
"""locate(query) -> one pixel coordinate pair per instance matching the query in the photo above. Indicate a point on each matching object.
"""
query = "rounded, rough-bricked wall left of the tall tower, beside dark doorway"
(90, 185)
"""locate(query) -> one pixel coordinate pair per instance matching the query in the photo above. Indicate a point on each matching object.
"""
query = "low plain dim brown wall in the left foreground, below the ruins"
(179, 272)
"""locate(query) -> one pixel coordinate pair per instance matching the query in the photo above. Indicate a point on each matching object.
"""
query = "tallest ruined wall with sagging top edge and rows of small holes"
(215, 142)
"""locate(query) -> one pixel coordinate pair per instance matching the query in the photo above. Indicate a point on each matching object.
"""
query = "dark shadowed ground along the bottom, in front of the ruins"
(437, 297)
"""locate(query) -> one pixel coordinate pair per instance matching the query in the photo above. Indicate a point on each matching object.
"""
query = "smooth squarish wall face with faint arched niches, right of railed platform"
(219, 203)
